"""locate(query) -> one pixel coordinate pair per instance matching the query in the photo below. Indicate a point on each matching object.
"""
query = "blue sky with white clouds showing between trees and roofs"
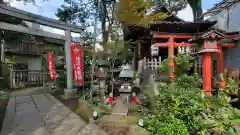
(48, 9)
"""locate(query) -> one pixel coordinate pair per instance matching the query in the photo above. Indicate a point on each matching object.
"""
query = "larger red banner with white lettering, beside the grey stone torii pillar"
(77, 63)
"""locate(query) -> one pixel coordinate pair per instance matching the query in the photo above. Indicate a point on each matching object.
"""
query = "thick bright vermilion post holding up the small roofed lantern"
(207, 73)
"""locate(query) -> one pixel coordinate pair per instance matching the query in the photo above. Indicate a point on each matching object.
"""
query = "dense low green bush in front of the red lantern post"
(189, 107)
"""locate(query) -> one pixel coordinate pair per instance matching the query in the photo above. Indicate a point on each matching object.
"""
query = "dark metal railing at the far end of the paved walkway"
(27, 78)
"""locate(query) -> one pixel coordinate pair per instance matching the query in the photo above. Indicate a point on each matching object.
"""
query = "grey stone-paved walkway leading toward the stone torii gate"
(40, 115)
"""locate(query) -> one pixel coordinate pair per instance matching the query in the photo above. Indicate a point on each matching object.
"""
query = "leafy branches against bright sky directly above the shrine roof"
(173, 5)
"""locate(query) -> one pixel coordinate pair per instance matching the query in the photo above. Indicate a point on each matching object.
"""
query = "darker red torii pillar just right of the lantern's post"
(220, 64)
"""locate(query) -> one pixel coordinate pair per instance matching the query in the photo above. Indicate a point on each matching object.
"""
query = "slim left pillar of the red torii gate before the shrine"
(171, 62)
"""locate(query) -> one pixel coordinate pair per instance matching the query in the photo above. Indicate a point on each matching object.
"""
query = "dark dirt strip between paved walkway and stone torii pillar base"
(70, 103)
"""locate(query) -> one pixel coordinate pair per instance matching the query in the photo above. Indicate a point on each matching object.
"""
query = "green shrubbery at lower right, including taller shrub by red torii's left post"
(185, 109)
